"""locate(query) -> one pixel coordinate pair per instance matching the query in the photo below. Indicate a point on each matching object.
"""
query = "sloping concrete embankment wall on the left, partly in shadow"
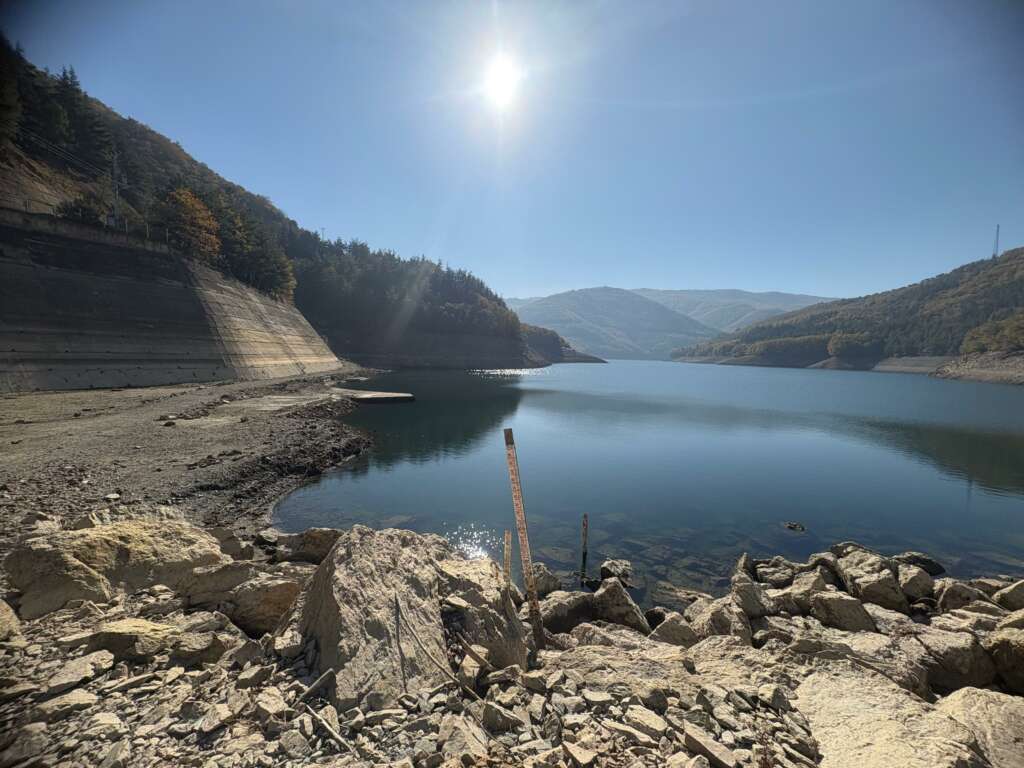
(84, 308)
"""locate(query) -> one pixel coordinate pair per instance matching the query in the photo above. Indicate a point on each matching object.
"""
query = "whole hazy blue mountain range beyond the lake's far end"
(649, 324)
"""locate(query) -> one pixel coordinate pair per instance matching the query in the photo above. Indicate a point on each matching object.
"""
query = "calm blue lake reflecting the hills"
(684, 467)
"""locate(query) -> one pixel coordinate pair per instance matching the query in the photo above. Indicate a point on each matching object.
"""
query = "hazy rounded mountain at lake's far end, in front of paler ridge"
(613, 323)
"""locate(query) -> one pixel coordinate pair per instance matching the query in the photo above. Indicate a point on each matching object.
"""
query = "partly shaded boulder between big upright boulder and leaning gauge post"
(485, 615)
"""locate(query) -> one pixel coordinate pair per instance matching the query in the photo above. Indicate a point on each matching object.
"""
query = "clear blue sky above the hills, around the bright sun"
(807, 146)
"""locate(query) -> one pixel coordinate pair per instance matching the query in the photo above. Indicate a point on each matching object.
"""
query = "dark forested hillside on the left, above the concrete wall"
(63, 151)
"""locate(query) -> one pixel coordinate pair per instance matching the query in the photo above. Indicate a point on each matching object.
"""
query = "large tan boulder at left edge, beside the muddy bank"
(95, 564)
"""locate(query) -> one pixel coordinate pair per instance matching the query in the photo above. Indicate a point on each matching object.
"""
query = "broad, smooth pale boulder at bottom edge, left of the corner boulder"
(864, 720)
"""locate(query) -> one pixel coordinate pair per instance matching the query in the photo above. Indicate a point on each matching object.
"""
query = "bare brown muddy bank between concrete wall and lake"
(222, 454)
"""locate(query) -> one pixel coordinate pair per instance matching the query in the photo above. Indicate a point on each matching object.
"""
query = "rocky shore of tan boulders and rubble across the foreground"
(138, 638)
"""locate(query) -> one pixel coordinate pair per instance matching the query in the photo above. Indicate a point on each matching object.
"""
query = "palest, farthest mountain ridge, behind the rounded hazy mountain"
(730, 310)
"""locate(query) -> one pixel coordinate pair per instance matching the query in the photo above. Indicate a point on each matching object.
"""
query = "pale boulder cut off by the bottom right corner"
(997, 720)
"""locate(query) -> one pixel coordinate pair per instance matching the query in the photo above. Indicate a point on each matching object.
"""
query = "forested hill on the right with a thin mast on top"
(976, 308)
